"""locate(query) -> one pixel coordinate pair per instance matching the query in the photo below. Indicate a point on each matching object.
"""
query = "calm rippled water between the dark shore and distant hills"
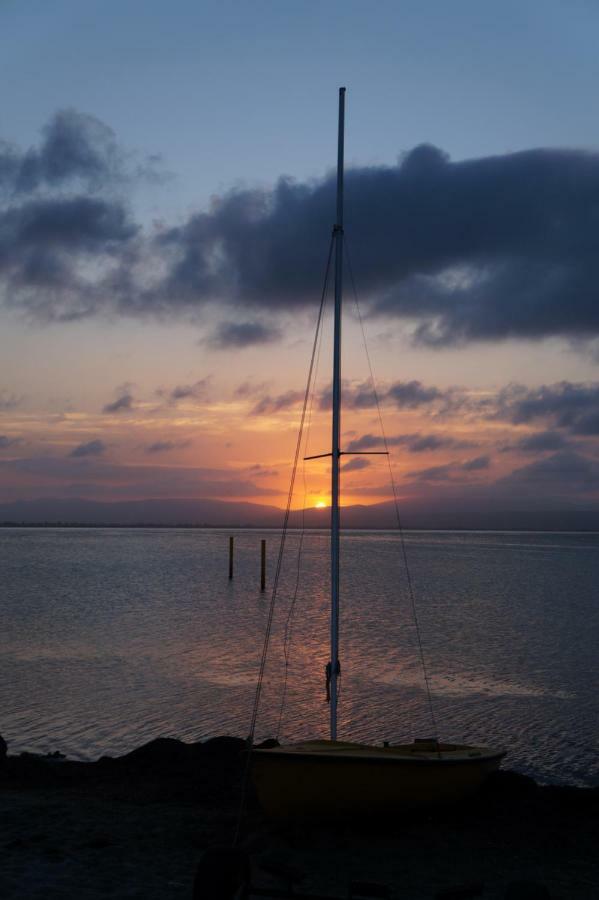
(109, 638)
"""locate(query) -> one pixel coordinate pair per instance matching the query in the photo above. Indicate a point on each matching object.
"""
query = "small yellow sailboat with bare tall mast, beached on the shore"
(330, 778)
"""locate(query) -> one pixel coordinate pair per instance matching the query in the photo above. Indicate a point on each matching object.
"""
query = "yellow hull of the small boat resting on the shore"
(332, 779)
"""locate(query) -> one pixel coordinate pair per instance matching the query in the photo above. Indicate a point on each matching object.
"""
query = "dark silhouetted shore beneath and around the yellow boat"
(136, 826)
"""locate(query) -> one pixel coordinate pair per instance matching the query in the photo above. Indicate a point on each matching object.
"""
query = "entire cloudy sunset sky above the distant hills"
(167, 197)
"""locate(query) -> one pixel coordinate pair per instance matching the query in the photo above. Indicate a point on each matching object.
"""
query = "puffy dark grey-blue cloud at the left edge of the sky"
(68, 245)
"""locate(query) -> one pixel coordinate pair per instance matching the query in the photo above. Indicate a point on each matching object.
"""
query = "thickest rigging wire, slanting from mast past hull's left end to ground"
(279, 565)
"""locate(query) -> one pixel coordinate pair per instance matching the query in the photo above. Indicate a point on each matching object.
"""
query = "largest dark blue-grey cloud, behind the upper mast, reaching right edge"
(481, 249)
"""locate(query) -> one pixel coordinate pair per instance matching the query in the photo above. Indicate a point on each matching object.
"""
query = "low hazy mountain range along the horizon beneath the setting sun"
(220, 513)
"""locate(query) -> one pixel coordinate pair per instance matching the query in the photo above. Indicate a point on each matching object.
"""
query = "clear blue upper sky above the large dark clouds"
(234, 91)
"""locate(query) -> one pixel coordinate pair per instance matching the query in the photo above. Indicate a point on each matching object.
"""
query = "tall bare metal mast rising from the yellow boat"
(335, 447)
